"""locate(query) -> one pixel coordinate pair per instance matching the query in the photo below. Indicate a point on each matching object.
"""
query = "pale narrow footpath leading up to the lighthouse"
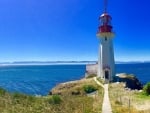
(106, 107)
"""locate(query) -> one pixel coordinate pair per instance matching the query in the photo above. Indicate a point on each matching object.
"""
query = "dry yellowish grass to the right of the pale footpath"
(121, 99)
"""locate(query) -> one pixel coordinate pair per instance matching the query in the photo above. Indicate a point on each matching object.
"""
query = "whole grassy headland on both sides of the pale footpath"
(76, 97)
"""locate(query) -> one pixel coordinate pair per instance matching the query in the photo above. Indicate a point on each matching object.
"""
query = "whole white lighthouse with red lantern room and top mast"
(106, 64)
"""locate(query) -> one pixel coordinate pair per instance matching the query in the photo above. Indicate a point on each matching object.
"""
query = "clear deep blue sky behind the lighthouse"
(52, 30)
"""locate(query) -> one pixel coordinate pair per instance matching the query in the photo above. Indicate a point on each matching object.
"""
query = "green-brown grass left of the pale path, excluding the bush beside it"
(64, 103)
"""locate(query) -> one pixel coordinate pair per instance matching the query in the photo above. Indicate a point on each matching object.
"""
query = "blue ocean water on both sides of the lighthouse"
(39, 79)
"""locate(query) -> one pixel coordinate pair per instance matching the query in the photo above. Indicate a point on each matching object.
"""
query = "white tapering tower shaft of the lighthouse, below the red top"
(106, 63)
